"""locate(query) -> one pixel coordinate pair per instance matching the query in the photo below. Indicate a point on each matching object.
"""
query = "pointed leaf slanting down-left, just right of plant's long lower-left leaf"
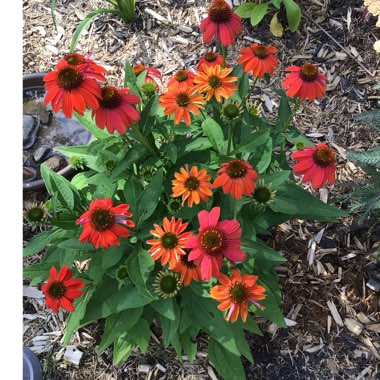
(117, 324)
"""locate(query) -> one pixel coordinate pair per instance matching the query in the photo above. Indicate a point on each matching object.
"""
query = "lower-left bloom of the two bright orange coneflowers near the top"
(181, 102)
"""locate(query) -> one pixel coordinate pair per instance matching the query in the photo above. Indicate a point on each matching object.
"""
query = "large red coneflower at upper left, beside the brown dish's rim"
(71, 88)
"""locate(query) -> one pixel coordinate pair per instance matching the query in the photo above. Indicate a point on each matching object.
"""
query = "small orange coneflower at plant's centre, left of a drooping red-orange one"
(192, 184)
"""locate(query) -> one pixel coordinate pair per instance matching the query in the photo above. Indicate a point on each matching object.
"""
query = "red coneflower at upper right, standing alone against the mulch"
(305, 82)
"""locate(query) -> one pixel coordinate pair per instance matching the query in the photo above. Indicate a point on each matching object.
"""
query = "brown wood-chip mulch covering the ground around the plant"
(317, 345)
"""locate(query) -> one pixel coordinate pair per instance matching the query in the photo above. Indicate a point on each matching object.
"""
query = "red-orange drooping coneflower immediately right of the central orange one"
(236, 177)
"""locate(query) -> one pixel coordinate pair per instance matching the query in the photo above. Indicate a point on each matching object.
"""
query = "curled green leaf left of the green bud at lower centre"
(139, 265)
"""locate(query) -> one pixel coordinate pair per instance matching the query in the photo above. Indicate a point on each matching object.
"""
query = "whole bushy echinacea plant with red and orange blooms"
(173, 214)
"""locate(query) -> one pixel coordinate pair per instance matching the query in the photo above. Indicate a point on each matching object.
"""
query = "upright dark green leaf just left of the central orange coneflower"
(148, 199)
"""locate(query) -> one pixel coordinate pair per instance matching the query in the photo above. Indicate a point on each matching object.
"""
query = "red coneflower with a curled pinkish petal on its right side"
(100, 223)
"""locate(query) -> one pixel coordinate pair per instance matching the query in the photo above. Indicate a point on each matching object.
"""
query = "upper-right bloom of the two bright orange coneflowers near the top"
(216, 82)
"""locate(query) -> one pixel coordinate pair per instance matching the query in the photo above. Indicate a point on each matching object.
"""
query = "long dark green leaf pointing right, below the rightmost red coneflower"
(294, 200)
